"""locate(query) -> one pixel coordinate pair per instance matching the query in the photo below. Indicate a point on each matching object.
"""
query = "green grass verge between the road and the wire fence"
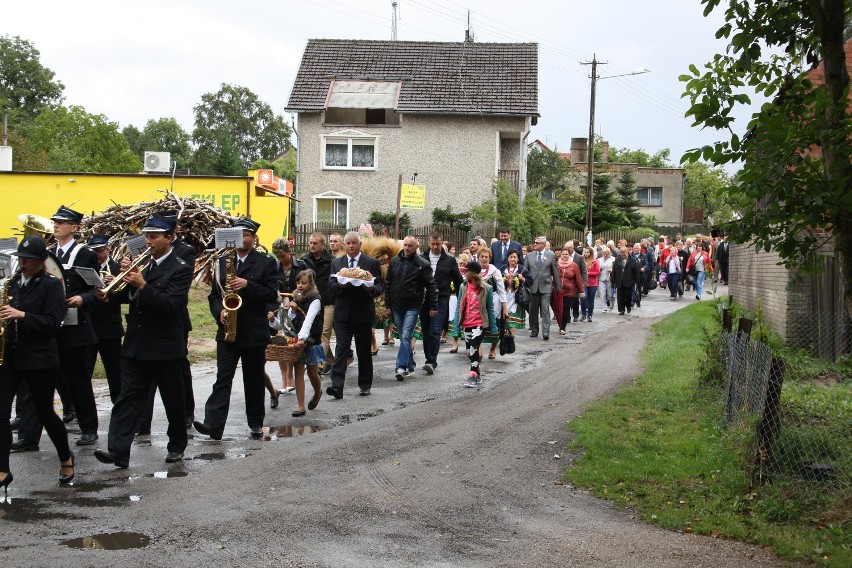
(658, 445)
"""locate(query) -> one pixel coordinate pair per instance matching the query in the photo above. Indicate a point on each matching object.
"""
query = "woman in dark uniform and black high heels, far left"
(32, 311)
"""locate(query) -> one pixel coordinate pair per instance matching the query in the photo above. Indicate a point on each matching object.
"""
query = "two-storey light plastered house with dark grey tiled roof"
(457, 114)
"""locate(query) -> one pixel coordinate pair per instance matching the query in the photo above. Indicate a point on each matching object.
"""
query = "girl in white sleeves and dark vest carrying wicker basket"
(307, 321)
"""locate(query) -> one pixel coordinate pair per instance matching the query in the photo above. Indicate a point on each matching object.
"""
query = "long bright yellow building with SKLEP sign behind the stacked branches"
(41, 193)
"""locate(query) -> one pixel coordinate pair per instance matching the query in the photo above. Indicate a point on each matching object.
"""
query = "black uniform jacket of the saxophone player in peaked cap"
(262, 289)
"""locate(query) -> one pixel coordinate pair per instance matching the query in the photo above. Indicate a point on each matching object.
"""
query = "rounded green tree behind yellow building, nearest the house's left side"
(234, 121)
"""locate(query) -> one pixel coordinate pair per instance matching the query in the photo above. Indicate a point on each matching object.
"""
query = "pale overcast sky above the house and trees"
(135, 61)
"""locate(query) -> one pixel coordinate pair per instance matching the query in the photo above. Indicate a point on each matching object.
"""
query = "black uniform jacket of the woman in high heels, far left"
(32, 341)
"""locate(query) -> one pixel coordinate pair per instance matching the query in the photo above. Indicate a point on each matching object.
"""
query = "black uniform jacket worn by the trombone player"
(154, 322)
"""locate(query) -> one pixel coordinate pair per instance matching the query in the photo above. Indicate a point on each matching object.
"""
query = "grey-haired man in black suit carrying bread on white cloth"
(354, 313)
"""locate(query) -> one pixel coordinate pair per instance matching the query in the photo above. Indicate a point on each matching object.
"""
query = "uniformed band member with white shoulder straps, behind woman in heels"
(77, 333)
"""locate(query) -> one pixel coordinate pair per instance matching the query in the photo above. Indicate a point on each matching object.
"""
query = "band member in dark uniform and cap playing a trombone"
(154, 348)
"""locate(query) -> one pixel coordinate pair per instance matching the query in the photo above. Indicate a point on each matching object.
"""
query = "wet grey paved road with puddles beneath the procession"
(421, 473)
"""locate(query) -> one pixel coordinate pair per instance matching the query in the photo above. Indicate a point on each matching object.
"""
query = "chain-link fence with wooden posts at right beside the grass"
(798, 410)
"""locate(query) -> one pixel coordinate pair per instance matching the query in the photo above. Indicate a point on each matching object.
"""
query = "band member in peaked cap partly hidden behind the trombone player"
(106, 319)
